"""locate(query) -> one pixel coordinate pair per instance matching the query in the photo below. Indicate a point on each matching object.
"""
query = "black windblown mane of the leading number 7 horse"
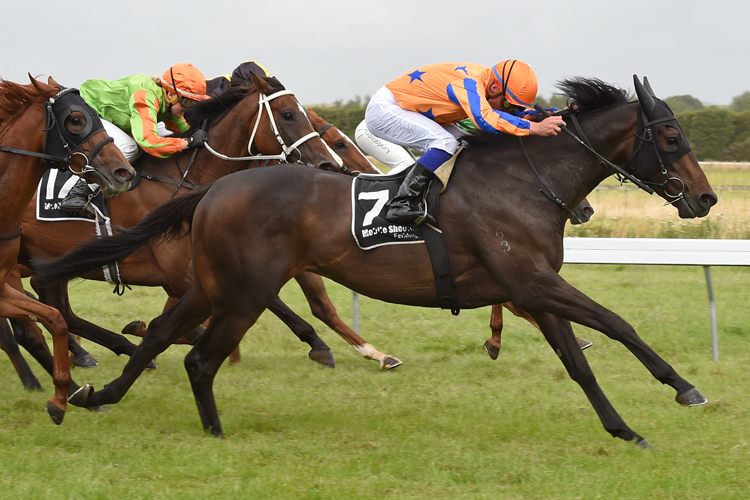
(584, 94)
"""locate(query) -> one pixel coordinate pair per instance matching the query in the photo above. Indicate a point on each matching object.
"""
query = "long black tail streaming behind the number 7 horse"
(164, 223)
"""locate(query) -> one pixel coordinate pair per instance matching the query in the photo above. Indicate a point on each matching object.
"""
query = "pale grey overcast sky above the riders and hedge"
(338, 50)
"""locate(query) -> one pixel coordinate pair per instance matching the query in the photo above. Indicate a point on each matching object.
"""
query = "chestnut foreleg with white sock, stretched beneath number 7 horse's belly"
(322, 308)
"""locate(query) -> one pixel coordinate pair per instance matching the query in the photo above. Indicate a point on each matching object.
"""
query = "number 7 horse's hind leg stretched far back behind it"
(190, 311)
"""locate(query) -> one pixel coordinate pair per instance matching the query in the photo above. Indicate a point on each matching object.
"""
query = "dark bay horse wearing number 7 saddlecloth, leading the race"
(502, 221)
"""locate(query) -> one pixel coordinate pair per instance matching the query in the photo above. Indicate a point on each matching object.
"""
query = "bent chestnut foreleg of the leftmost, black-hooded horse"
(15, 304)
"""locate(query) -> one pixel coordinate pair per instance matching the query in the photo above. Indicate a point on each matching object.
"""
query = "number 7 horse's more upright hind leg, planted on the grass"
(221, 337)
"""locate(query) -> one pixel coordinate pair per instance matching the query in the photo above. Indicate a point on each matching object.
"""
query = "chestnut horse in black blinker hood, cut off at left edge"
(44, 125)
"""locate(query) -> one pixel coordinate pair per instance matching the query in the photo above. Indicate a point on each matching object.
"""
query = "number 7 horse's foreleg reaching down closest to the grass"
(561, 338)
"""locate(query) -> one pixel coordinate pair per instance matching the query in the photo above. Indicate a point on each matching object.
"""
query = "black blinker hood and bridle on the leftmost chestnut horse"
(60, 148)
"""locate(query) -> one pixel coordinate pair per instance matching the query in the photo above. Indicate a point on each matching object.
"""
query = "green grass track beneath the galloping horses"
(449, 423)
